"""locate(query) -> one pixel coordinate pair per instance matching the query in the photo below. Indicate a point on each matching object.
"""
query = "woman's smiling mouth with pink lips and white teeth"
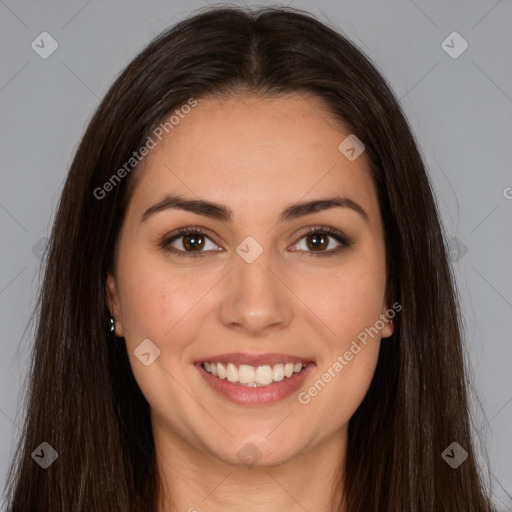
(254, 380)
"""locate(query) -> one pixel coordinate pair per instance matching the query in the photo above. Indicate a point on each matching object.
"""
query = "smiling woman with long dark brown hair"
(247, 300)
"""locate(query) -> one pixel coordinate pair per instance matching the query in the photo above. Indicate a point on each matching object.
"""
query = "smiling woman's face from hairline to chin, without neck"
(249, 287)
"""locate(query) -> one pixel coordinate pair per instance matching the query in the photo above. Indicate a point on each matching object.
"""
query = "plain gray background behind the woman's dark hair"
(459, 109)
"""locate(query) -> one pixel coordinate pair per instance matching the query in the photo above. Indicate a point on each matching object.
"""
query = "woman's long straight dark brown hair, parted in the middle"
(82, 397)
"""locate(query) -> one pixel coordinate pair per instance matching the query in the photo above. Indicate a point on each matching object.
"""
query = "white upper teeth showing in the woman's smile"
(253, 376)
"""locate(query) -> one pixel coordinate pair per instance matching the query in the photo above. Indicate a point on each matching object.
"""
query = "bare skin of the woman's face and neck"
(256, 157)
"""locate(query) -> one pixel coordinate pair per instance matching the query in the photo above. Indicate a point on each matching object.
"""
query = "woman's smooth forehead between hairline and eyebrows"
(252, 151)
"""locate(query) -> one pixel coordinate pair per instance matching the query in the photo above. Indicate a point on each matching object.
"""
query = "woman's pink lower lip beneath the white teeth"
(262, 395)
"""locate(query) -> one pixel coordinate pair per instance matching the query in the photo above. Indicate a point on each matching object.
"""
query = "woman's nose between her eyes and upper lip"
(256, 300)
